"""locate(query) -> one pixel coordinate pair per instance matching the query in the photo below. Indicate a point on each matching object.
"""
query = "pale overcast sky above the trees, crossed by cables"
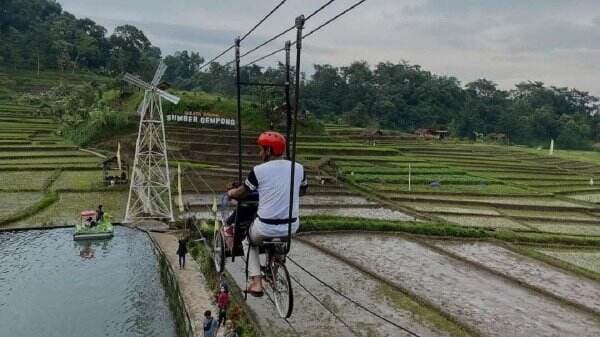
(507, 41)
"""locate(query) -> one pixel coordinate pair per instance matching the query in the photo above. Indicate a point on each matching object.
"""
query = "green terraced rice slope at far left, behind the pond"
(38, 170)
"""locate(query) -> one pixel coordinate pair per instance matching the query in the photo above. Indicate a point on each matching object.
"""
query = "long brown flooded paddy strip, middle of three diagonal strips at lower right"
(482, 300)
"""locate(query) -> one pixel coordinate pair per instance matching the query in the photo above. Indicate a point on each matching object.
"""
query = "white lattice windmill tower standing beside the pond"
(150, 188)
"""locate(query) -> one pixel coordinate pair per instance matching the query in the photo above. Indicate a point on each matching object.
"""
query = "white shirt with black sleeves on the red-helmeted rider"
(272, 182)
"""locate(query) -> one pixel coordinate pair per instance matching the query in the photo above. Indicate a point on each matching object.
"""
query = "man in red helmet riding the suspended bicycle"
(271, 180)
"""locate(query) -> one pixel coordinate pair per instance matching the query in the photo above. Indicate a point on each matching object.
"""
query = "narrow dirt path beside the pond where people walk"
(191, 281)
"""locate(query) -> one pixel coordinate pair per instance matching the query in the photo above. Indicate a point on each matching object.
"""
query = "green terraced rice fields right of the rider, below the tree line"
(473, 185)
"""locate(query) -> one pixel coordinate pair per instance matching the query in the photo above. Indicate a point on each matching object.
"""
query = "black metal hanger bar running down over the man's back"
(299, 27)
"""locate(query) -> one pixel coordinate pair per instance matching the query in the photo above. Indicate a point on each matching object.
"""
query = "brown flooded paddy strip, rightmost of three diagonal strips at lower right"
(576, 289)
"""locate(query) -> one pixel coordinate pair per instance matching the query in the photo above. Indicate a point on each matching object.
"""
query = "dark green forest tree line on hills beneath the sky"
(38, 34)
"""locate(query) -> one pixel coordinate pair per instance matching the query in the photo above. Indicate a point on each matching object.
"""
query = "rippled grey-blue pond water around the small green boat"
(52, 286)
